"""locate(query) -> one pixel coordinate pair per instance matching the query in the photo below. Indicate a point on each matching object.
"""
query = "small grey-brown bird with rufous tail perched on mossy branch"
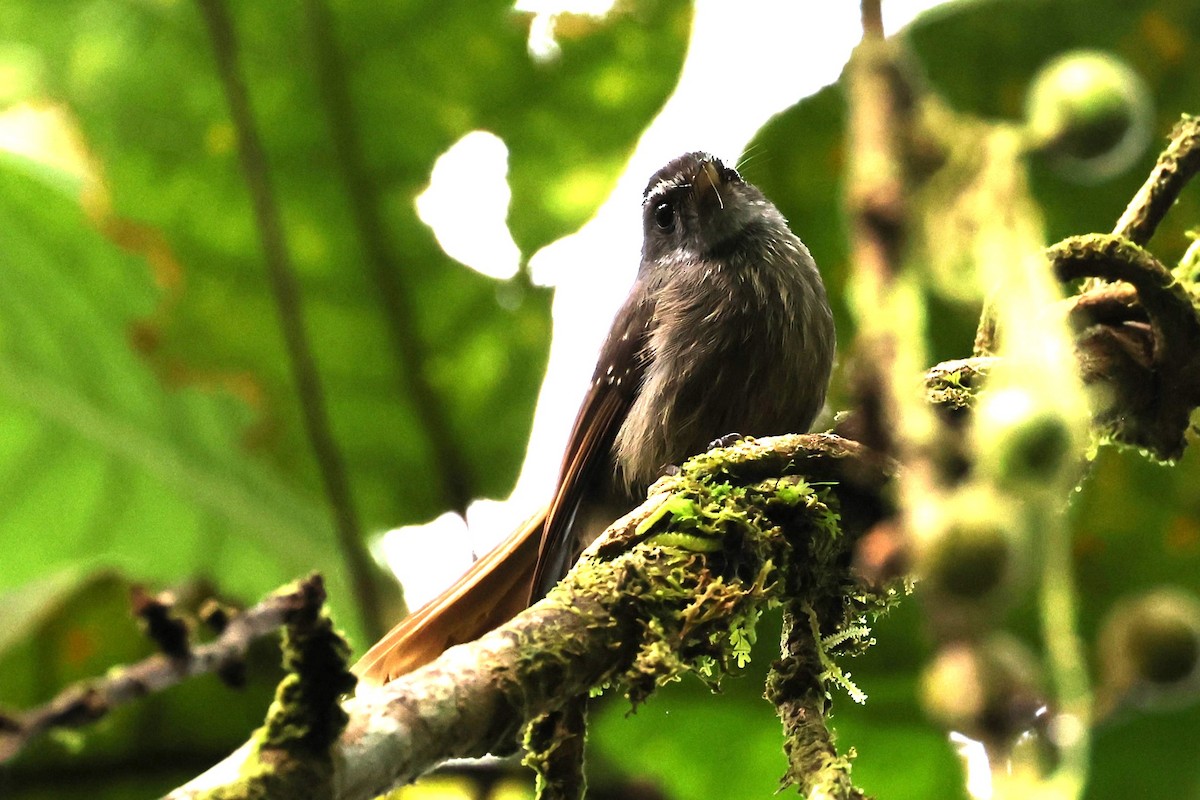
(727, 333)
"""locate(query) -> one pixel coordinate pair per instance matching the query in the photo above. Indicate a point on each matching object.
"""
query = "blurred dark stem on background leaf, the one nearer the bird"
(448, 473)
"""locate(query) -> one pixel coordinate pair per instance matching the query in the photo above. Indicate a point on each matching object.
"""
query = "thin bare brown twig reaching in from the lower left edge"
(87, 702)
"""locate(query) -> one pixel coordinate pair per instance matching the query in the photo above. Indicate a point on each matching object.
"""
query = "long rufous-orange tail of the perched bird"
(495, 591)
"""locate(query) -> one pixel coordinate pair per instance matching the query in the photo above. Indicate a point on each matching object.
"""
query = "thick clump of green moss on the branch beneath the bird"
(719, 554)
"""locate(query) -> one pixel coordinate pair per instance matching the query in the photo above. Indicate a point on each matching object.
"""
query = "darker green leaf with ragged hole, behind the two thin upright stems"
(355, 101)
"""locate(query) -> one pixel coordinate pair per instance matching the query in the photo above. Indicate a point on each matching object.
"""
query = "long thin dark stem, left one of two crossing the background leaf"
(286, 291)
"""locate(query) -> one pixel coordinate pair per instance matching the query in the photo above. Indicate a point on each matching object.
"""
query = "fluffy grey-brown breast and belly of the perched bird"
(734, 348)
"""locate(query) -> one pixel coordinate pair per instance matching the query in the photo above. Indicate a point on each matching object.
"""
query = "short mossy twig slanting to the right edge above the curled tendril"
(1175, 167)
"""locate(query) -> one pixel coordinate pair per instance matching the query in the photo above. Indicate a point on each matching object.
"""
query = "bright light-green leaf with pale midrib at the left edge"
(101, 461)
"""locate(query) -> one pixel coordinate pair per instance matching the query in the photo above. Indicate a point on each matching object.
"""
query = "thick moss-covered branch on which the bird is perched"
(633, 613)
